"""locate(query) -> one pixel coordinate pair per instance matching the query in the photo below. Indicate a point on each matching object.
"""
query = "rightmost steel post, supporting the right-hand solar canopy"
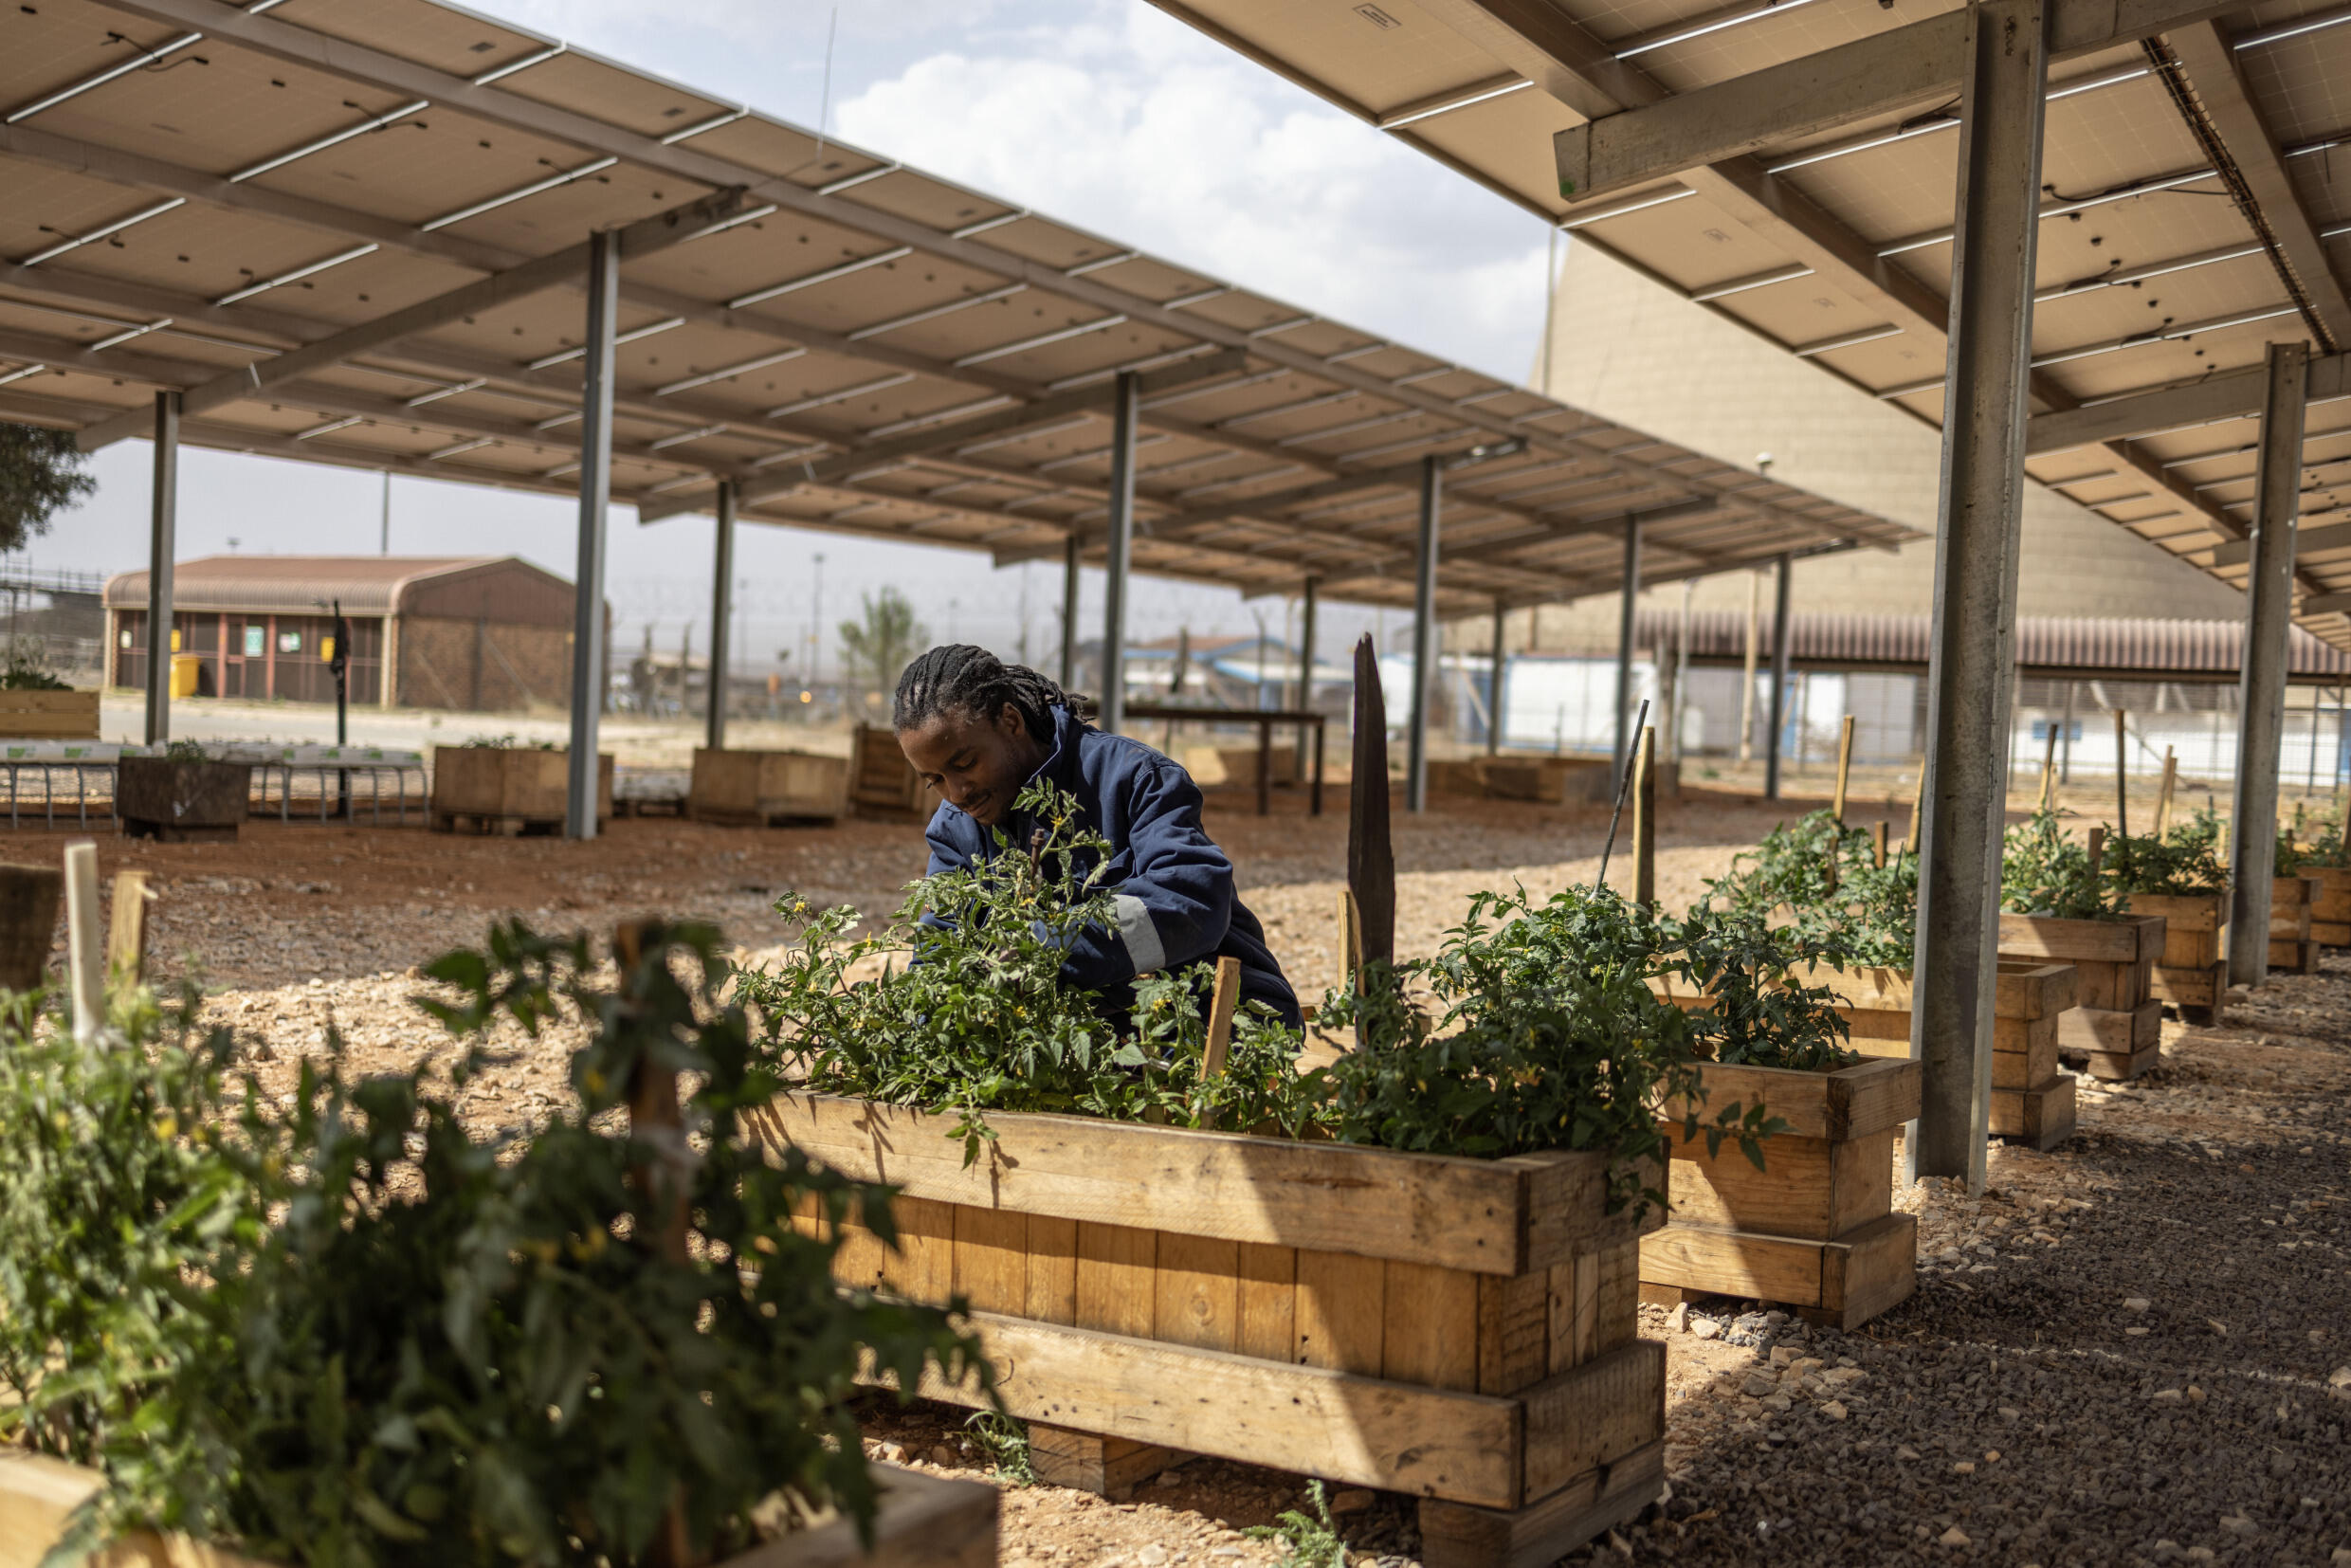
(2260, 688)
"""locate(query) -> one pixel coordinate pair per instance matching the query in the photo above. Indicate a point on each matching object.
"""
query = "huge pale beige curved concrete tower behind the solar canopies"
(1637, 354)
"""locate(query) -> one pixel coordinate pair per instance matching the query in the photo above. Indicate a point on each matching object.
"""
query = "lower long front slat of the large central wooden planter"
(1358, 1430)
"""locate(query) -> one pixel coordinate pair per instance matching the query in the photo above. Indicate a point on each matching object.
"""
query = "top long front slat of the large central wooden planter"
(1496, 1217)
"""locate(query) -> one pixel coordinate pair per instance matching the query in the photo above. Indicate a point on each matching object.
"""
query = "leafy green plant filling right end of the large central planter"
(1546, 1038)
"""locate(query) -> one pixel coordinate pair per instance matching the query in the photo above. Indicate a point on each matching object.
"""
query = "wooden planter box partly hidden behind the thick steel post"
(2032, 1099)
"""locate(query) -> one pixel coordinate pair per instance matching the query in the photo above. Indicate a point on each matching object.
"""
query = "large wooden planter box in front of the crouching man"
(1454, 1329)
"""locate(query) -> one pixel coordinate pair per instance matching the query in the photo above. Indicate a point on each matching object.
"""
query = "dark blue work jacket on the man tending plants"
(1174, 885)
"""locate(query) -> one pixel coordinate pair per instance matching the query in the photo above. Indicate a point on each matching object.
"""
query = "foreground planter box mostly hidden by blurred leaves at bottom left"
(925, 1522)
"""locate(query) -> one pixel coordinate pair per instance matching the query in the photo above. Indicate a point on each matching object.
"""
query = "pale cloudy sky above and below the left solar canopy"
(1101, 112)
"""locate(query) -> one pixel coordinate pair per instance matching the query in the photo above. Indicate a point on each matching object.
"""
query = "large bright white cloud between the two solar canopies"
(1153, 135)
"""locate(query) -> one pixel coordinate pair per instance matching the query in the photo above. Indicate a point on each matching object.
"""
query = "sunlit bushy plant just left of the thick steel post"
(1830, 887)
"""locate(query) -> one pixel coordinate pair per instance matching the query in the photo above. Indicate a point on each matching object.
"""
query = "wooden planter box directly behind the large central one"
(1816, 1228)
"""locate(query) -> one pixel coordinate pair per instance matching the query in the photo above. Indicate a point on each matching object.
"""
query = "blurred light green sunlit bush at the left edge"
(116, 1193)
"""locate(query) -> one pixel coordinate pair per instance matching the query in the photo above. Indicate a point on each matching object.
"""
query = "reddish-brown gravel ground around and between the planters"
(2134, 1351)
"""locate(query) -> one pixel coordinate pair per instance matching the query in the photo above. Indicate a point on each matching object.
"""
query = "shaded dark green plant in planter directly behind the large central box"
(1762, 1017)
